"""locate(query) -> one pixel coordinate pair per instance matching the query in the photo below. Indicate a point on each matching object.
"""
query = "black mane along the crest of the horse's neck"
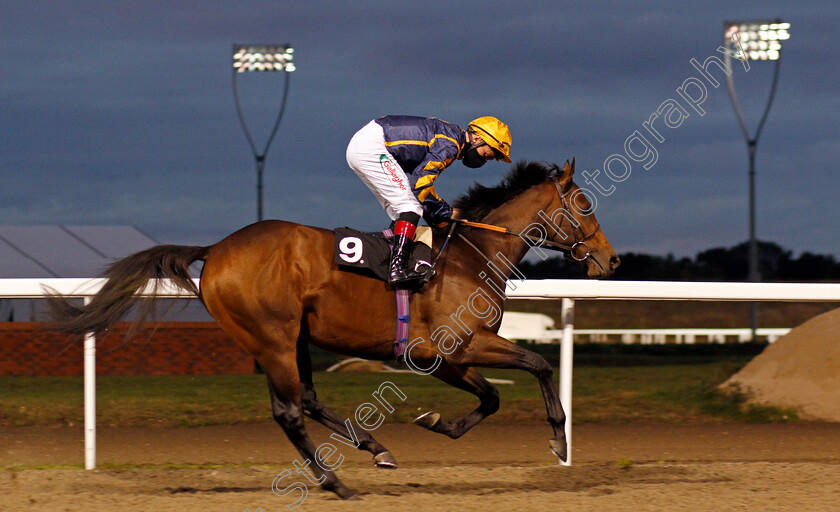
(479, 200)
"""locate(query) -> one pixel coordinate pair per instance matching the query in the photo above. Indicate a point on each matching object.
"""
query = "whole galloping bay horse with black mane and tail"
(274, 288)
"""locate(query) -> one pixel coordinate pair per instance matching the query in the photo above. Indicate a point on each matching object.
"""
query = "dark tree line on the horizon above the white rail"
(775, 263)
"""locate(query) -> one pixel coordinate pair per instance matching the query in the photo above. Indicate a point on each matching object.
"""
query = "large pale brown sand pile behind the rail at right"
(800, 370)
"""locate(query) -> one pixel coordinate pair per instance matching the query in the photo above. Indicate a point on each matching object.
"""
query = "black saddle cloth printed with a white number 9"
(368, 253)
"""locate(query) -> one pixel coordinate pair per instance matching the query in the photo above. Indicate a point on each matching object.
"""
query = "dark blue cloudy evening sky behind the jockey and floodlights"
(123, 113)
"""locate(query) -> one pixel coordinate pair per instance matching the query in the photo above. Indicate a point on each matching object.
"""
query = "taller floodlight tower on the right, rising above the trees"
(757, 41)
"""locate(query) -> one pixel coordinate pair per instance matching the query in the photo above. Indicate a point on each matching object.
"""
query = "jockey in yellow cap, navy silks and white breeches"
(386, 151)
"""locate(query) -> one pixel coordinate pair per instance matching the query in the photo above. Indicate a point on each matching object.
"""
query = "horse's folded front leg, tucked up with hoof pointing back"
(470, 380)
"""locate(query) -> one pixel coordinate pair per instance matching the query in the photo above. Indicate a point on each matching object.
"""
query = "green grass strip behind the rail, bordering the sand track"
(663, 393)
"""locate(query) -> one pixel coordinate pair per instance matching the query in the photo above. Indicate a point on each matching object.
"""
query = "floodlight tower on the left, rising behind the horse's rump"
(254, 58)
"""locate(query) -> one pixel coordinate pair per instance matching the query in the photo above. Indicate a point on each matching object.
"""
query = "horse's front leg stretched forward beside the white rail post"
(489, 350)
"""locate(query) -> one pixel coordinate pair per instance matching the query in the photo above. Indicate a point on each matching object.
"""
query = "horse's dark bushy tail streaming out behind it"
(119, 294)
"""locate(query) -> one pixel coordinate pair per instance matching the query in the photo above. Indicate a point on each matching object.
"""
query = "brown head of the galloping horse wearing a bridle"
(570, 220)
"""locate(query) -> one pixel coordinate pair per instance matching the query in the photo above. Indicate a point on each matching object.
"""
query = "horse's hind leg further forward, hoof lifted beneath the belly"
(316, 410)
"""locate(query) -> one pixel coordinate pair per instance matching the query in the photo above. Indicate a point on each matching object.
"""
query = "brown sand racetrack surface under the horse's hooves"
(495, 467)
